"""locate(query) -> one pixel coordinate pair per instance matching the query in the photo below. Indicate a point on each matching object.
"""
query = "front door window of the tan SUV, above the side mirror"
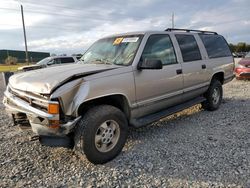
(159, 47)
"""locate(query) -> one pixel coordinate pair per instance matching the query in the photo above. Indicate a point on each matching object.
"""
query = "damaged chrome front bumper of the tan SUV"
(38, 119)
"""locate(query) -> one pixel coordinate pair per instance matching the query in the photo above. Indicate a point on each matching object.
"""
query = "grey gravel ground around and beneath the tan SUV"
(193, 148)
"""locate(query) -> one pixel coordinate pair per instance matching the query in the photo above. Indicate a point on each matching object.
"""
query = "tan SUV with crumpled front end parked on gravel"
(131, 79)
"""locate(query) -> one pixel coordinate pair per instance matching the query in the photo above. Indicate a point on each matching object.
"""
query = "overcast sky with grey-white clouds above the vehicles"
(70, 26)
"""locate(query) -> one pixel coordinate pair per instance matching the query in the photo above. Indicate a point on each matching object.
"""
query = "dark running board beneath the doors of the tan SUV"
(169, 111)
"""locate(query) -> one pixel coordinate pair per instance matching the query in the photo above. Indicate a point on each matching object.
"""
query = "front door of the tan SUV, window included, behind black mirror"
(159, 89)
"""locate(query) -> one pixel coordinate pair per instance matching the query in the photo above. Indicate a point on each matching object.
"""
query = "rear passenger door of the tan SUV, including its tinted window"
(193, 66)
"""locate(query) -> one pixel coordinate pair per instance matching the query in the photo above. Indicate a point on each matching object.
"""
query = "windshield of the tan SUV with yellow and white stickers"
(116, 50)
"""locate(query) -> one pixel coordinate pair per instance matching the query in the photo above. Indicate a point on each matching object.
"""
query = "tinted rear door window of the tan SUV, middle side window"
(189, 48)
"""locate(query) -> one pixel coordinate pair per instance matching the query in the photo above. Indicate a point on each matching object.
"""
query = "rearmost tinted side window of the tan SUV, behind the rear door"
(215, 45)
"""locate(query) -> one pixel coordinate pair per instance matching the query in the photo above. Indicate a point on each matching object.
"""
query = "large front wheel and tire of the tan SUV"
(101, 133)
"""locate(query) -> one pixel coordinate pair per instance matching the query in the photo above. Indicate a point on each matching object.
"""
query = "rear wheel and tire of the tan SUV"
(213, 96)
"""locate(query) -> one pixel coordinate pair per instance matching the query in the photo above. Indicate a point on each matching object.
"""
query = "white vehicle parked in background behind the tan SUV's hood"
(50, 61)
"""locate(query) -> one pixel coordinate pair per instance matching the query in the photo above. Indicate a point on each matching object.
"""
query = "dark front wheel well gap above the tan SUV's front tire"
(118, 101)
